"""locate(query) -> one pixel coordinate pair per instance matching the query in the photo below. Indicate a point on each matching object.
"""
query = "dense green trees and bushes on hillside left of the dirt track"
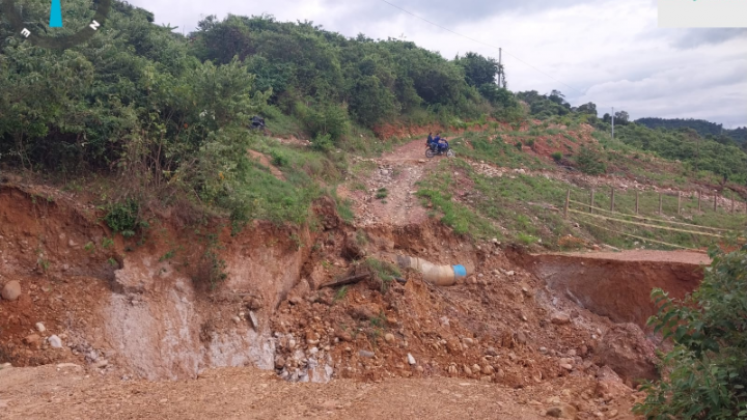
(172, 112)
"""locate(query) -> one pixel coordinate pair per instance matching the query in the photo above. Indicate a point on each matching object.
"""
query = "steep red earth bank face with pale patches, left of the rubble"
(180, 297)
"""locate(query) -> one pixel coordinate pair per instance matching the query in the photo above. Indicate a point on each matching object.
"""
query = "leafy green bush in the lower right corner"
(706, 372)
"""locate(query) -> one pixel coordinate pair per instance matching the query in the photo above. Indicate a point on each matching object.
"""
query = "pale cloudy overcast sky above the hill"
(608, 52)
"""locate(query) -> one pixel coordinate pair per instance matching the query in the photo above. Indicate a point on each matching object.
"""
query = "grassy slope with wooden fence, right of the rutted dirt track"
(528, 209)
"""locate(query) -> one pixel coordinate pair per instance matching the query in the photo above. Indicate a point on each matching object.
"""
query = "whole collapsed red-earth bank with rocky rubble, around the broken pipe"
(151, 307)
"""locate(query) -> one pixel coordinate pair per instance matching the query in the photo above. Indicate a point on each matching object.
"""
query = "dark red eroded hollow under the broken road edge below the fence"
(619, 285)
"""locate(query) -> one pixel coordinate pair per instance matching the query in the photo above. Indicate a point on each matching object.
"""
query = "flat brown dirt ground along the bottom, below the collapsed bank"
(241, 393)
